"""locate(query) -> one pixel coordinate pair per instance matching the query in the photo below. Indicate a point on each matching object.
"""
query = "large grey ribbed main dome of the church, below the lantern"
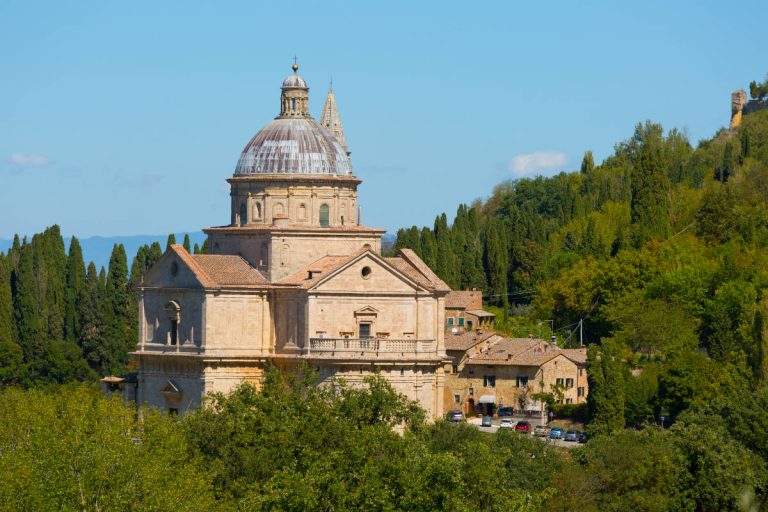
(293, 146)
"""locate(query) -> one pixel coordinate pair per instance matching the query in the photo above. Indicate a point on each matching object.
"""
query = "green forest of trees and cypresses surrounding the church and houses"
(659, 251)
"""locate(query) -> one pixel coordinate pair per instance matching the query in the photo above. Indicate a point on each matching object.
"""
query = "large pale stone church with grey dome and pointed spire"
(294, 278)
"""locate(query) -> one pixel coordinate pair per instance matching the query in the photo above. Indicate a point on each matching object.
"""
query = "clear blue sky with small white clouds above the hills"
(121, 118)
